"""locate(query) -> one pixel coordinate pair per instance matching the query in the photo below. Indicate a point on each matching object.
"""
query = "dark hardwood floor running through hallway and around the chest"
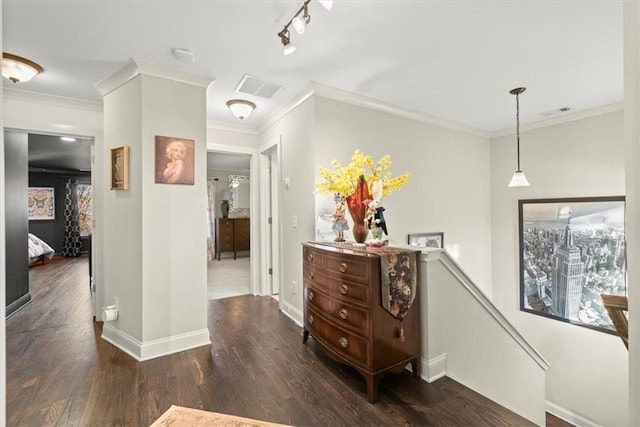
(59, 371)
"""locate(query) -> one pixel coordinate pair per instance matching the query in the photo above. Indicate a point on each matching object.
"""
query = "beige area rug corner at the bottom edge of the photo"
(178, 416)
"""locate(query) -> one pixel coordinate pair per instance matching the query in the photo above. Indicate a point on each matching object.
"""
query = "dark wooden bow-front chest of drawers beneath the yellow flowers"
(344, 314)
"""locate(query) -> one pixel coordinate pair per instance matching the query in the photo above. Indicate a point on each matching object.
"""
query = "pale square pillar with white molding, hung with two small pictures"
(155, 252)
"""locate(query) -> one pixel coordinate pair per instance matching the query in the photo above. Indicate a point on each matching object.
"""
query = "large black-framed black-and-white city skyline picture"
(572, 250)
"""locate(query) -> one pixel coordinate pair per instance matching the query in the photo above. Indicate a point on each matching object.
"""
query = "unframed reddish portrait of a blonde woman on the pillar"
(175, 160)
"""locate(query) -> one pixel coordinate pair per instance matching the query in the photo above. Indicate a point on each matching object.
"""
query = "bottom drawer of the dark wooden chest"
(346, 344)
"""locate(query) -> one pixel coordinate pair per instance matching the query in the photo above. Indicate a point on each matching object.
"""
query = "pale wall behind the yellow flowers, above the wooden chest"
(448, 188)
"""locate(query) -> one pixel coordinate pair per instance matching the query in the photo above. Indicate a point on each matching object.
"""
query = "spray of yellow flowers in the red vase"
(343, 179)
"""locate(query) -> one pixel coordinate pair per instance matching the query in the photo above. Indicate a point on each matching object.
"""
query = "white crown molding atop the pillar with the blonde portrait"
(135, 67)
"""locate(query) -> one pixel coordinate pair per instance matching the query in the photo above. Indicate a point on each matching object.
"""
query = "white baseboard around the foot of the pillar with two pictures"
(156, 348)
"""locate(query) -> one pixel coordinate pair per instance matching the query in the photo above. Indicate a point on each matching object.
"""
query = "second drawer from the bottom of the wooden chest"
(346, 315)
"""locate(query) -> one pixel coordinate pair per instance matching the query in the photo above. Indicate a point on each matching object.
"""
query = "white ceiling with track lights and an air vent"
(453, 59)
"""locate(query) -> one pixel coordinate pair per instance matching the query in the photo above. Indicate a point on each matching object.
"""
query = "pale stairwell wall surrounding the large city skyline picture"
(587, 380)
